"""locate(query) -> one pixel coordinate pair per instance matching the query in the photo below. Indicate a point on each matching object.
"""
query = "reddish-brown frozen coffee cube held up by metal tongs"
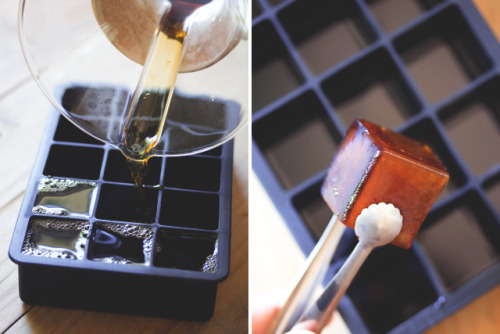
(374, 165)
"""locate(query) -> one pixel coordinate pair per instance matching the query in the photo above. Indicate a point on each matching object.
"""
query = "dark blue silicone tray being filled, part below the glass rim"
(108, 250)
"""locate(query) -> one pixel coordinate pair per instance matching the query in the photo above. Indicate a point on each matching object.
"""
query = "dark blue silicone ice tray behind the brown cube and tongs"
(428, 69)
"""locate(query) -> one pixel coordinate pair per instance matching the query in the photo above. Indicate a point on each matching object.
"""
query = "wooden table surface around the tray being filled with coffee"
(23, 111)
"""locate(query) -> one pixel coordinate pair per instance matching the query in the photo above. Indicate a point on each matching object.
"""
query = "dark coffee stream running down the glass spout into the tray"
(149, 106)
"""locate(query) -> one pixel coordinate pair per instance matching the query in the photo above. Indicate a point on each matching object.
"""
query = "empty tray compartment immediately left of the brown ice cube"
(298, 140)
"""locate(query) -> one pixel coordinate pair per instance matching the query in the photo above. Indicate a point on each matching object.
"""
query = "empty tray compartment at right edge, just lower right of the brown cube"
(461, 240)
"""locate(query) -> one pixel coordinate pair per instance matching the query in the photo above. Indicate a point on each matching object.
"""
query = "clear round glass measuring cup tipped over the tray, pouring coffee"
(92, 73)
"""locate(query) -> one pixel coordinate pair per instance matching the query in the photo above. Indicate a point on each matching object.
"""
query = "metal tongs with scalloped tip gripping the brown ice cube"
(376, 226)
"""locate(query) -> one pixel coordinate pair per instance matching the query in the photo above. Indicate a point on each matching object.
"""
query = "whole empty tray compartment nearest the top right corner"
(442, 55)
